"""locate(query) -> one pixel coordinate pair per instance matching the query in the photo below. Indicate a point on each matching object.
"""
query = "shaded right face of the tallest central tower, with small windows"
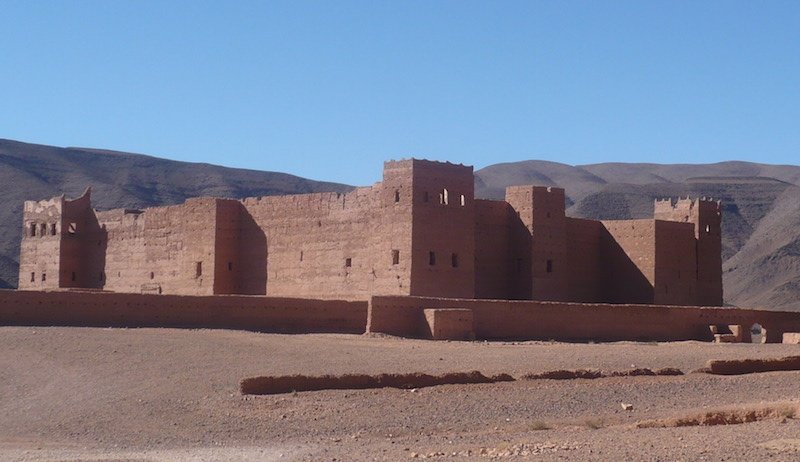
(443, 230)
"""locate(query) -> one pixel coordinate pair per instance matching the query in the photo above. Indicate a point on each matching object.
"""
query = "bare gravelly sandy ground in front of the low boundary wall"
(165, 394)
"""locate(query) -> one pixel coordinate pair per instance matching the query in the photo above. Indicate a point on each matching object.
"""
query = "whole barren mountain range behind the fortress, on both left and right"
(761, 203)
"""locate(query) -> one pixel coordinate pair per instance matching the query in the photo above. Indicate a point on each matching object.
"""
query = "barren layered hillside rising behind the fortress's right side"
(761, 212)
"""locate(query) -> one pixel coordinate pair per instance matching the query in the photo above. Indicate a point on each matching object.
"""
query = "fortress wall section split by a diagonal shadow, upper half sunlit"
(628, 253)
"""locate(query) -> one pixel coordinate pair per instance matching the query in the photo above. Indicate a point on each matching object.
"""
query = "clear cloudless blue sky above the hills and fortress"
(330, 89)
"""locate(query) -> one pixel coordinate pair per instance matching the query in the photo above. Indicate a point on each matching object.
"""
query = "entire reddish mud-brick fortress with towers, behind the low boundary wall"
(419, 232)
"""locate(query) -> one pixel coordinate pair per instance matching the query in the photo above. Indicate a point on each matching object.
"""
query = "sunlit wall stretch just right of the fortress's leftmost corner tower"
(162, 249)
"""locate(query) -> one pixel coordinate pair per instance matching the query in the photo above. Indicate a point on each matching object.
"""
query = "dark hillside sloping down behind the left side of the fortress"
(118, 179)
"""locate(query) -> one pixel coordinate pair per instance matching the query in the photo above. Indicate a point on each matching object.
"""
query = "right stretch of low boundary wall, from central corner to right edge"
(537, 320)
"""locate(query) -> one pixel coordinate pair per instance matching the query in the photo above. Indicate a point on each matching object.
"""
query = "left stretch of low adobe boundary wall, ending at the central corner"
(103, 309)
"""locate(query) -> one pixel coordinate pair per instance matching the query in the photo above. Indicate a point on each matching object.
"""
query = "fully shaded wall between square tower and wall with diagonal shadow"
(584, 260)
